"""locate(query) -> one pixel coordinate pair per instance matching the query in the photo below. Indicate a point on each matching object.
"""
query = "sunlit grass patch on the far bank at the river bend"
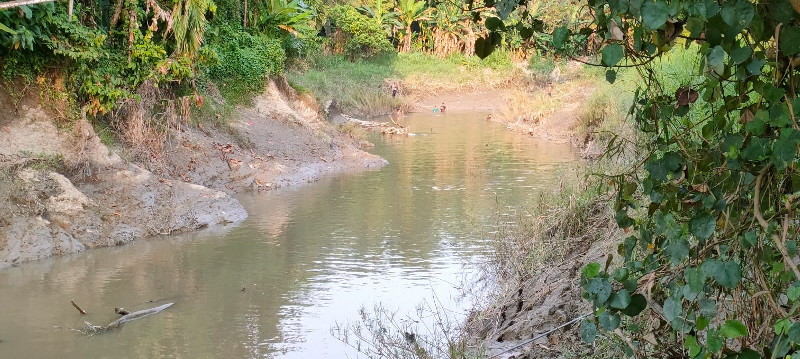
(362, 87)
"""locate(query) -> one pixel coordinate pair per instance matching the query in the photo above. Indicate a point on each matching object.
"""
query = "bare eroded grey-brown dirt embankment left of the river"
(63, 191)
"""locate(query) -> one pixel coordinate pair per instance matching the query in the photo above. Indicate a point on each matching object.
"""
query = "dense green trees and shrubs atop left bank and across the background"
(109, 50)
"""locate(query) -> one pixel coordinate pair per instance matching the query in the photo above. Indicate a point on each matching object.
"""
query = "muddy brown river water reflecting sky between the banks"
(308, 257)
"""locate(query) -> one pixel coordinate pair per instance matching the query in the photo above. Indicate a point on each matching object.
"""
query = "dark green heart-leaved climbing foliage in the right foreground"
(710, 268)
